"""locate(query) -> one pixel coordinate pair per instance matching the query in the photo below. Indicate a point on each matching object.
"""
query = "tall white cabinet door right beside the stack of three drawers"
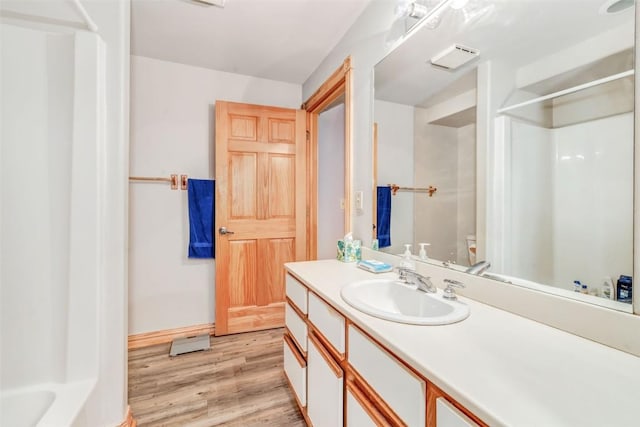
(324, 386)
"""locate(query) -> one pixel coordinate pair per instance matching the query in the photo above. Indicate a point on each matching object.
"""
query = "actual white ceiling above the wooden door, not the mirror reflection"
(281, 40)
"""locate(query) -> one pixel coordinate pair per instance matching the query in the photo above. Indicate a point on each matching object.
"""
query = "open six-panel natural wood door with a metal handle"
(260, 160)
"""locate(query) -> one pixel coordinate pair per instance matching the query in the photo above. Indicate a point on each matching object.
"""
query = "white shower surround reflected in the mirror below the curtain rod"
(587, 185)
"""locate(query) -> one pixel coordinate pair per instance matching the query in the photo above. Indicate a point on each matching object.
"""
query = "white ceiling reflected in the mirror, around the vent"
(514, 32)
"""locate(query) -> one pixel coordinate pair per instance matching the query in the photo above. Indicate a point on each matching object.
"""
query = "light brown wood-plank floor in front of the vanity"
(239, 382)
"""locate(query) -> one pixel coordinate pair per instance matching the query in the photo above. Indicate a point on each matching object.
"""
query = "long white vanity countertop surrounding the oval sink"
(504, 368)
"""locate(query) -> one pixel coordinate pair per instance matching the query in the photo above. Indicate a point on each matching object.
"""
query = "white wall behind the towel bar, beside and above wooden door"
(172, 131)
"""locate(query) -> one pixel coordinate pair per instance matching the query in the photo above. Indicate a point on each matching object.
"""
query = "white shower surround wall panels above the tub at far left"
(37, 117)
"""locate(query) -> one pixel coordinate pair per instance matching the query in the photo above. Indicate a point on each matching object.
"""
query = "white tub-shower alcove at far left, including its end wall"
(63, 92)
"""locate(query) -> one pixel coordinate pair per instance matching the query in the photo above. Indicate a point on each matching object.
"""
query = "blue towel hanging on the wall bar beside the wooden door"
(202, 203)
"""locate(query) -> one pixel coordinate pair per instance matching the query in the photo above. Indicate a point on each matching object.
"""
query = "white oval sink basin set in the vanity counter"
(392, 300)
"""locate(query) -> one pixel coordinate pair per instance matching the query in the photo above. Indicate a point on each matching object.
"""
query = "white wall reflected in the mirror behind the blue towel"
(396, 166)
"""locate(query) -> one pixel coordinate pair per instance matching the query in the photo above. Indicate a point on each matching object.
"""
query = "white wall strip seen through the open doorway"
(330, 180)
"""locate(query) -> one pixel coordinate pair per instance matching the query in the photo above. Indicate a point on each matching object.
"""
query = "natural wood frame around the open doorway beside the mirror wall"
(336, 85)
